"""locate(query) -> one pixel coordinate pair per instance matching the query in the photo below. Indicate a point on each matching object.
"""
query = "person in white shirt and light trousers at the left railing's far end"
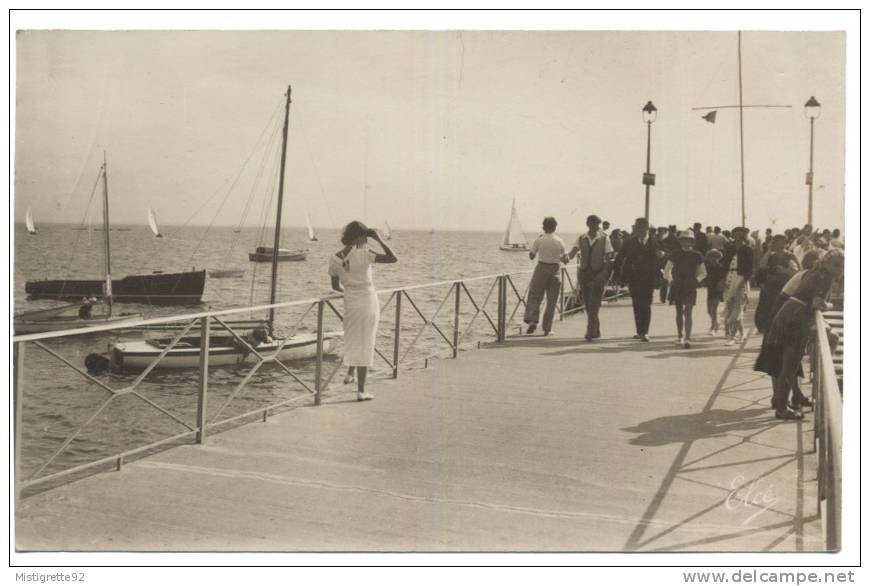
(550, 250)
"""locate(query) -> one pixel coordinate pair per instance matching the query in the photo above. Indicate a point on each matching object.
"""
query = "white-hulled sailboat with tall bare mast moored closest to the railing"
(224, 348)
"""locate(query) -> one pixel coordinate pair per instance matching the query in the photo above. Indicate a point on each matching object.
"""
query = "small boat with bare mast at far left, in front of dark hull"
(53, 319)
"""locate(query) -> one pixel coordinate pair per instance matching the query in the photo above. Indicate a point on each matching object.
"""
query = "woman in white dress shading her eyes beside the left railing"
(351, 272)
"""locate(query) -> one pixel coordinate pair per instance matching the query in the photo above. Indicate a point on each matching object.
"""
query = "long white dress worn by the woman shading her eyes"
(361, 307)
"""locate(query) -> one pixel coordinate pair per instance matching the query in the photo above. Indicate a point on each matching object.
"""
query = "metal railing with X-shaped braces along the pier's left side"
(508, 300)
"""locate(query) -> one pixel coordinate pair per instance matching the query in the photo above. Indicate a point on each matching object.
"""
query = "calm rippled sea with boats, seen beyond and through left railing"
(57, 400)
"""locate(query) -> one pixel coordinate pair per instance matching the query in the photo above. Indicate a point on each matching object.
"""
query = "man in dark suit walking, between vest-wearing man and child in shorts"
(638, 265)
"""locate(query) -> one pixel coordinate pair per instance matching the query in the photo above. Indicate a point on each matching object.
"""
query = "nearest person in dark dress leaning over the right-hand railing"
(784, 343)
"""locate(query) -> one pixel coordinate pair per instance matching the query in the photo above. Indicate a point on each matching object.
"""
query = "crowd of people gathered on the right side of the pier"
(797, 271)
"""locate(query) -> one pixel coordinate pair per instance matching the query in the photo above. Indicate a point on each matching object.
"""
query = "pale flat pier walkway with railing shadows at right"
(538, 444)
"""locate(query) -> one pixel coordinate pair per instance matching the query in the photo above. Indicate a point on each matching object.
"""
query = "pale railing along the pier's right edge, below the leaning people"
(829, 433)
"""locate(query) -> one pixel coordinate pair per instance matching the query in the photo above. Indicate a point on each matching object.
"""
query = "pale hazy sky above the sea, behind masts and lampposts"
(444, 127)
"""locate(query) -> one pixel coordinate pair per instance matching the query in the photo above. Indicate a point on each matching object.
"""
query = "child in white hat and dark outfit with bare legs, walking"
(685, 269)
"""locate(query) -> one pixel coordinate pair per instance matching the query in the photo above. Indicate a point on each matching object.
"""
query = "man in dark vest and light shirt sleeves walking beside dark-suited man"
(596, 254)
